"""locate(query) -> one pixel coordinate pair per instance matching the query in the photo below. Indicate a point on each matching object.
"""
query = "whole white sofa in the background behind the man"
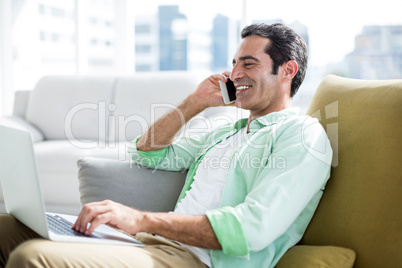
(71, 117)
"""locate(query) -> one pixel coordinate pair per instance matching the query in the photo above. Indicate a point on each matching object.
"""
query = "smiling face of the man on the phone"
(257, 88)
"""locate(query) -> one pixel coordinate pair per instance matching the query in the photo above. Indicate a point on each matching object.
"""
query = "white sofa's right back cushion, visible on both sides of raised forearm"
(137, 105)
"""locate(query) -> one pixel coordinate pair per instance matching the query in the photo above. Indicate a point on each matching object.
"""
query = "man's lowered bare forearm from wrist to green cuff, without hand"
(187, 229)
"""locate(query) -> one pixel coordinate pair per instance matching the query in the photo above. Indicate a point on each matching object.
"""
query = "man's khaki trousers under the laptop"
(21, 247)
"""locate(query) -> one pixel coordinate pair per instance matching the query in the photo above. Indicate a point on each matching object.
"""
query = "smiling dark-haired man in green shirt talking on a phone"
(244, 212)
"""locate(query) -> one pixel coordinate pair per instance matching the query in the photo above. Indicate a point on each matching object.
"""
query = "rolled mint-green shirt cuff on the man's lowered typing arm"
(229, 231)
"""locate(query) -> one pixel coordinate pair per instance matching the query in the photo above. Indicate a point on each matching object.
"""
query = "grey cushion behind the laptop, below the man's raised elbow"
(129, 184)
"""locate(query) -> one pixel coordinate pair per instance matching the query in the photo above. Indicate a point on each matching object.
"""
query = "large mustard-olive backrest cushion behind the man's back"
(360, 208)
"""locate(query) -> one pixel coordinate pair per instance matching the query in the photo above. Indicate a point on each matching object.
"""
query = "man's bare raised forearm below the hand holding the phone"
(162, 132)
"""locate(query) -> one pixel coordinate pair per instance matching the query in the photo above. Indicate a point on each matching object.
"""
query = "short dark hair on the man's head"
(285, 45)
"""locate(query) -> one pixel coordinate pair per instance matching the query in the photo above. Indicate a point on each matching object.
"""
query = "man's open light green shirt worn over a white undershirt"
(275, 181)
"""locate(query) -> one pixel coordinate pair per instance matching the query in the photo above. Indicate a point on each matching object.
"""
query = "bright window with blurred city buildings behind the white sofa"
(356, 39)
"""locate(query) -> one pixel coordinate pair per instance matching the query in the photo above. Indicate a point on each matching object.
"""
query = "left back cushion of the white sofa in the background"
(71, 105)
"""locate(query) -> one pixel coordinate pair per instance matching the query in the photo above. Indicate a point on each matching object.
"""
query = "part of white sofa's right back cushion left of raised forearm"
(137, 104)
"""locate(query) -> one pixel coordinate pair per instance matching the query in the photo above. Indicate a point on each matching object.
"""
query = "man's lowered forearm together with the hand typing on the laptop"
(188, 229)
